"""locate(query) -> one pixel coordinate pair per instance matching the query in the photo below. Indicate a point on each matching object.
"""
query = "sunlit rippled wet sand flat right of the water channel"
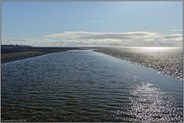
(166, 60)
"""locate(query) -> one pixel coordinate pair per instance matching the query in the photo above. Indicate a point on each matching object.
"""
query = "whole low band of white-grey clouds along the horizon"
(81, 38)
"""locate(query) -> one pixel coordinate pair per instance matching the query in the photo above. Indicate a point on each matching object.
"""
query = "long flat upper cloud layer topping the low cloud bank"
(101, 35)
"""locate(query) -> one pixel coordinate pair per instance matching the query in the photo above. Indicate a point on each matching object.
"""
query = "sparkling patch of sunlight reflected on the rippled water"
(150, 104)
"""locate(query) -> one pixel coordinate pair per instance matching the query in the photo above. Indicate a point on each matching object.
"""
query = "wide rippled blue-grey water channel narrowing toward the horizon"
(87, 86)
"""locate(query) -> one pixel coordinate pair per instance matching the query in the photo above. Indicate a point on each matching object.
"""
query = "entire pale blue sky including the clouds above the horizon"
(125, 24)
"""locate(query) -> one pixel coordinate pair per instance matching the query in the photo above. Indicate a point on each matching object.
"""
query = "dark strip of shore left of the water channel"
(11, 53)
